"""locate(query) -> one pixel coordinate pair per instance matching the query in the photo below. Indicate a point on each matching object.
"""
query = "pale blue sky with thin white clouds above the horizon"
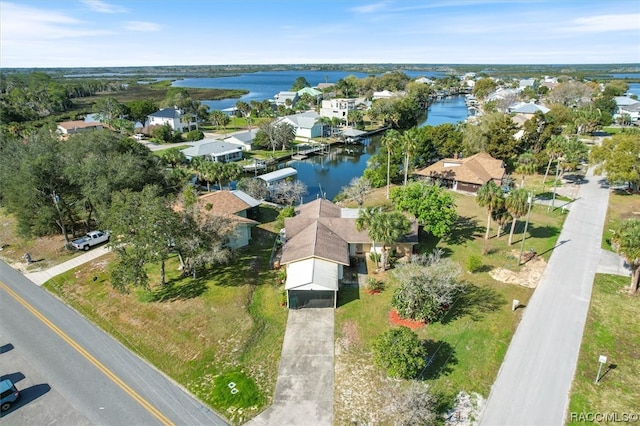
(90, 33)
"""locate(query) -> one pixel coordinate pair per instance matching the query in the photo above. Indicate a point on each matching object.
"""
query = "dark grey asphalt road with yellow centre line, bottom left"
(71, 372)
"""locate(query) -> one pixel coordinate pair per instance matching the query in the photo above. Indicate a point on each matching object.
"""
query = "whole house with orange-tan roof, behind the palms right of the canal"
(465, 174)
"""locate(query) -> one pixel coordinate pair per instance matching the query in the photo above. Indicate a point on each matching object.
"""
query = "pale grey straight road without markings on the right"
(534, 381)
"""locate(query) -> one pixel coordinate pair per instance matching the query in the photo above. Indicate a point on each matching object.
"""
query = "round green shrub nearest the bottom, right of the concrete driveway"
(399, 352)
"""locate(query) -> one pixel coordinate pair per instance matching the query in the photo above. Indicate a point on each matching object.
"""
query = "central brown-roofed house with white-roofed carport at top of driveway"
(319, 243)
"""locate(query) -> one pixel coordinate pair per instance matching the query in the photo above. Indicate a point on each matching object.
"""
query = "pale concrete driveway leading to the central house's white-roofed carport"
(304, 390)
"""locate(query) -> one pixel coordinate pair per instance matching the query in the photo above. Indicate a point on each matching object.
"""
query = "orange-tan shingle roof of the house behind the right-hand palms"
(478, 169)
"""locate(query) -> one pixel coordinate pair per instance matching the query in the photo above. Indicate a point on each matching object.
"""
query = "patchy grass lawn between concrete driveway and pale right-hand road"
(466, 348)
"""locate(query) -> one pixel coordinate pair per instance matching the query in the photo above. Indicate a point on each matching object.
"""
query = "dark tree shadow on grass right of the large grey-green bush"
(475, 302)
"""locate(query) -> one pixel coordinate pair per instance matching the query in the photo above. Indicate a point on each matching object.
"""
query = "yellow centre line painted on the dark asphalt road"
(115, 379)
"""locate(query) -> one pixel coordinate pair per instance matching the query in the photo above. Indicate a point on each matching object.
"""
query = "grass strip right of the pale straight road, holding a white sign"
(613, 330)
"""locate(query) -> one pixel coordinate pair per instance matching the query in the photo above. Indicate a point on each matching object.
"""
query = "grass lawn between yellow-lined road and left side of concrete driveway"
(226, 326)
